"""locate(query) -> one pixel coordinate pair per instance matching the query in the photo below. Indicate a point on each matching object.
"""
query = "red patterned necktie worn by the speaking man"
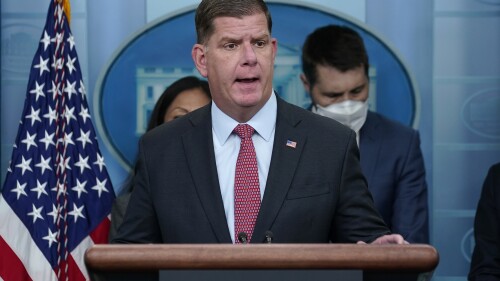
(246, 184)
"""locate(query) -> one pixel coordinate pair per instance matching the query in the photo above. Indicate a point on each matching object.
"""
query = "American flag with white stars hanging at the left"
(57, 195)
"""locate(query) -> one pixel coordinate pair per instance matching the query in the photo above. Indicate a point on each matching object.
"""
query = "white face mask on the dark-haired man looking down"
(349, 112)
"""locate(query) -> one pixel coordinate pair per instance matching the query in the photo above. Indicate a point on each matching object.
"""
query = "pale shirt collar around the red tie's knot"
(263, 121)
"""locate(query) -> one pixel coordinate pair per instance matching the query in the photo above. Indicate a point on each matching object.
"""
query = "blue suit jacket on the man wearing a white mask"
(393, 165)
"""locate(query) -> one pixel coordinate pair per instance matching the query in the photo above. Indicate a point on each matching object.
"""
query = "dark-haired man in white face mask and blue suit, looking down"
(335, 74)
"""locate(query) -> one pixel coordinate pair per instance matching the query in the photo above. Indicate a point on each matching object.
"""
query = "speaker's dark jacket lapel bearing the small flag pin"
(282, 168)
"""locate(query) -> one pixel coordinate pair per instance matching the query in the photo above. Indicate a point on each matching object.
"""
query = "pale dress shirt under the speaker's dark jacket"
(227, 147)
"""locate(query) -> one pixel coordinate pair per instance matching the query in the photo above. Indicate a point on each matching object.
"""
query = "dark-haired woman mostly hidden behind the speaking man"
(178, 99)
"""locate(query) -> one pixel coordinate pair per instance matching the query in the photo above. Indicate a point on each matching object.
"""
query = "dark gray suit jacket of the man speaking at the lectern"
(315, 193)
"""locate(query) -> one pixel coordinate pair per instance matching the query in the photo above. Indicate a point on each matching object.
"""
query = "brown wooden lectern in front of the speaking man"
(155, 261)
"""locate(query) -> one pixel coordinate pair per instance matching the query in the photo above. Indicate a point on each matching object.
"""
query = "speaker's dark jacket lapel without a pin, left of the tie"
(199, 148)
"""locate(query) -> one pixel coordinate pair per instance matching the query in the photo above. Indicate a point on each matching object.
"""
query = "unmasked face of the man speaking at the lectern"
(238, 61)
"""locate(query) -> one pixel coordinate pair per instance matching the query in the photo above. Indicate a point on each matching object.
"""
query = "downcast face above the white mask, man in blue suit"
(333, 86)
